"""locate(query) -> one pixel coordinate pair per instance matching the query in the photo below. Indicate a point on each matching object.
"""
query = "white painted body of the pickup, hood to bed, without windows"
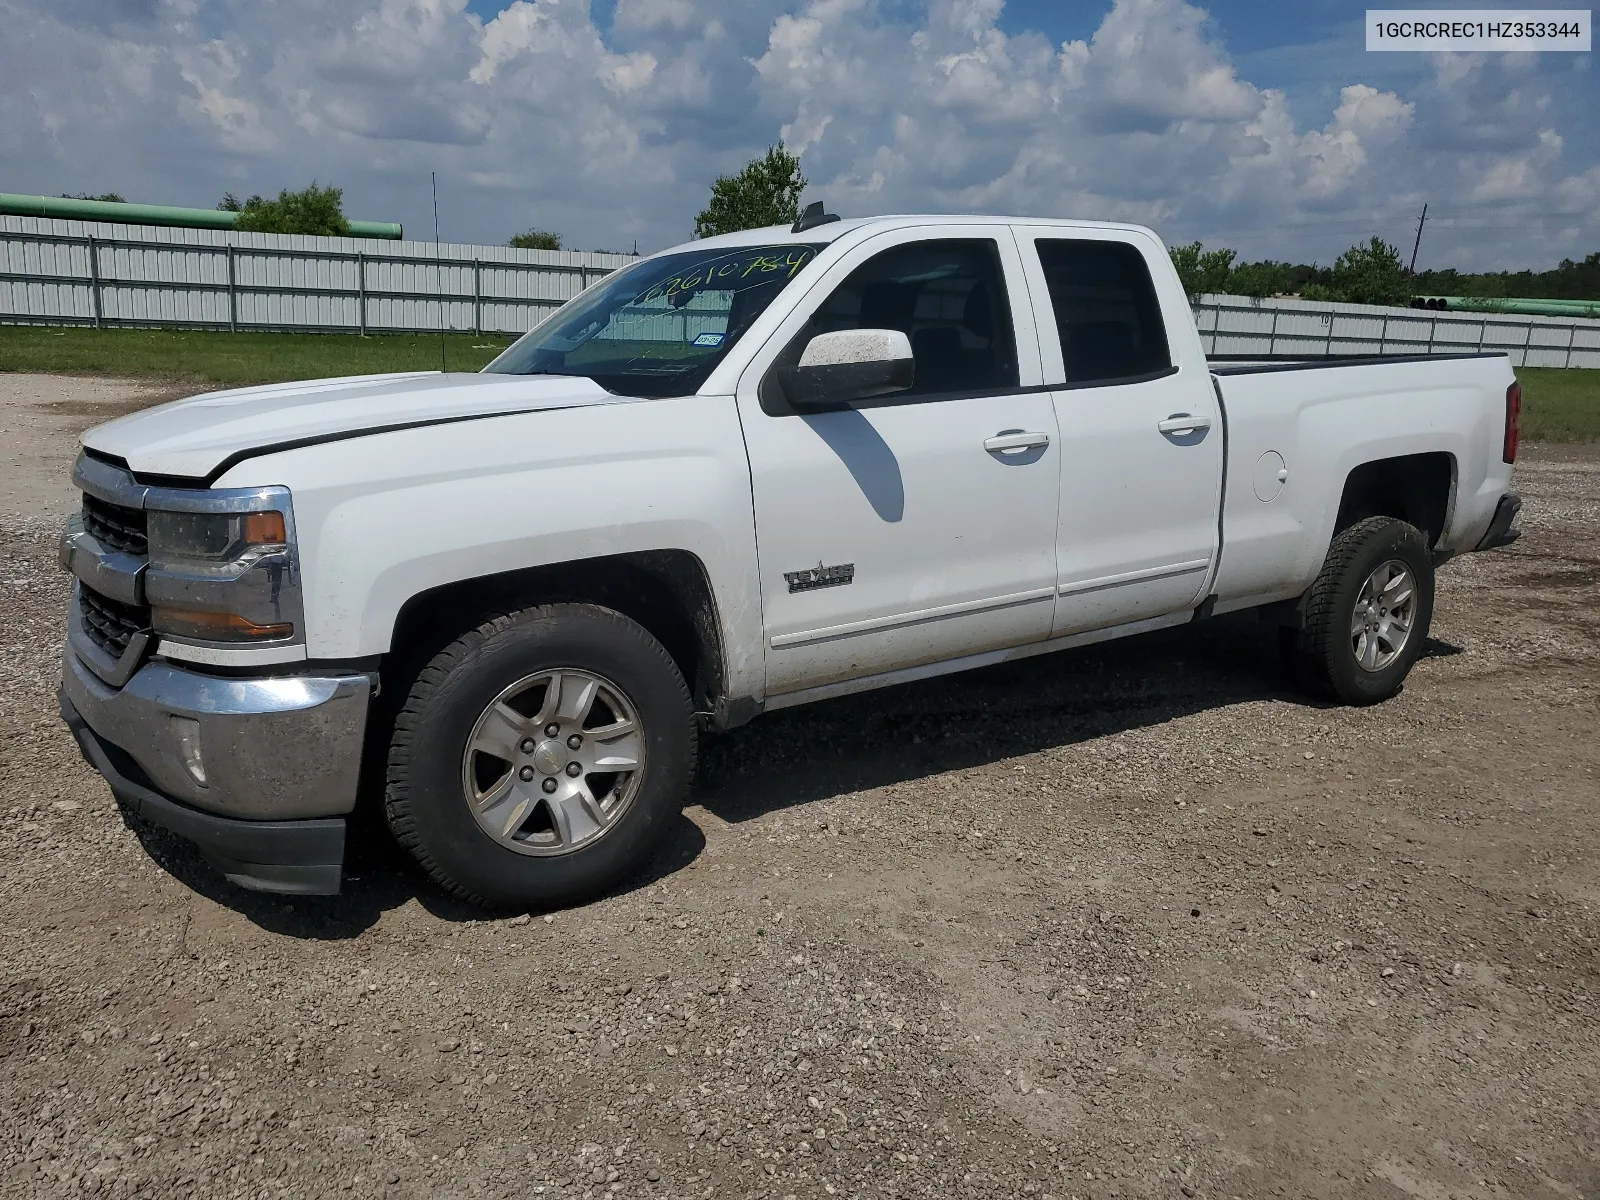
(961, 556)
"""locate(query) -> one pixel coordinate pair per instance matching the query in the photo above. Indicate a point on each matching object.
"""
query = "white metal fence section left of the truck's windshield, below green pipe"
(78, 273)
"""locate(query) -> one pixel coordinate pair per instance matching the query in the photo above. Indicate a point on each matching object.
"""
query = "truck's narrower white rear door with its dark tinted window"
(1142, 433)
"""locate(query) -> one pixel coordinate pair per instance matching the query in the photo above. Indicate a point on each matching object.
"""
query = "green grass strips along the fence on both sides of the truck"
(1558, 406)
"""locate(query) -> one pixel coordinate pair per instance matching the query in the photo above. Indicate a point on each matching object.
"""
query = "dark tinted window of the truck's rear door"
(1106, 311)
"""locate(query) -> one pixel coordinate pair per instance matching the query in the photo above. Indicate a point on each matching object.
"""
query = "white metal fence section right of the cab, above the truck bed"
(1238, 326)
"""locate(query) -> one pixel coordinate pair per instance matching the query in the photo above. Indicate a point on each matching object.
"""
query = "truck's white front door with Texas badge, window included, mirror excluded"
(916, 527)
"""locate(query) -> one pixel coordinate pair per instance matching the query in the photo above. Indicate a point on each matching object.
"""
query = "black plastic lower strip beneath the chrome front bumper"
(287, 857)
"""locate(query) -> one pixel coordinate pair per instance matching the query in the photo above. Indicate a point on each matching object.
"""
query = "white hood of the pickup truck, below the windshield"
(204, 436)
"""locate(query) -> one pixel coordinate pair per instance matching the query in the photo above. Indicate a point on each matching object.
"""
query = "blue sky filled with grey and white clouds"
(1258, 126)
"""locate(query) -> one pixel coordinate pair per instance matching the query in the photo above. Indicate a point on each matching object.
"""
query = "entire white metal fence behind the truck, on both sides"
(78, 273)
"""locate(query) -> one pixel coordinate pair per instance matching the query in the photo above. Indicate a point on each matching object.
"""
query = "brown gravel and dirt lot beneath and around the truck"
(1127, 922)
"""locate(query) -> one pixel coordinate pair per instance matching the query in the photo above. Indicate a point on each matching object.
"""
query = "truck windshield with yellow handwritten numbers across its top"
(662, 326)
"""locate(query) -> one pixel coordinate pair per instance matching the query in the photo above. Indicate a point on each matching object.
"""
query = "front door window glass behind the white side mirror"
(946, 297)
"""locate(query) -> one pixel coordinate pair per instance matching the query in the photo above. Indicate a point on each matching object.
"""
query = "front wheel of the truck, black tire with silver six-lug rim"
(529, 849)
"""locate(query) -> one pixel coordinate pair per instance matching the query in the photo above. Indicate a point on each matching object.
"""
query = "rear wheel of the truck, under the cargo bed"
(1329, 654)
